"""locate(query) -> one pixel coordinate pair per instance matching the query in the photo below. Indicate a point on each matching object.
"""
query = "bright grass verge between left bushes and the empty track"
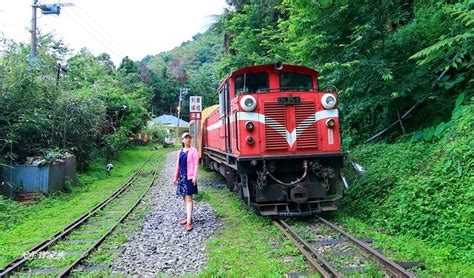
(23, 226)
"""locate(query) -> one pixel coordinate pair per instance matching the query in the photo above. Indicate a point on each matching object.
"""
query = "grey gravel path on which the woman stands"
(163, 246)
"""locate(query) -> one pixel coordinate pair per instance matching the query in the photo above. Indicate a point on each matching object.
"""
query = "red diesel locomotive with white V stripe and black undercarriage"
(275, 138)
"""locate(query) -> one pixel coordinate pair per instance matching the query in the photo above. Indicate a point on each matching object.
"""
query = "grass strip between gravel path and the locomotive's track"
(247, 244)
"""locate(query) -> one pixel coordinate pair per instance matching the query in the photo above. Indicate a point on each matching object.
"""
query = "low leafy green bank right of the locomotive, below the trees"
(426, 187)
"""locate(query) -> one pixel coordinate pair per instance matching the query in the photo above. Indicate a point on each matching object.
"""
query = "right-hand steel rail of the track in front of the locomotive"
(390, 266)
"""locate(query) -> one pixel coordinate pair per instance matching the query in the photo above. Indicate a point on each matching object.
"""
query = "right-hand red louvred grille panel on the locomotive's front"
(306, 131)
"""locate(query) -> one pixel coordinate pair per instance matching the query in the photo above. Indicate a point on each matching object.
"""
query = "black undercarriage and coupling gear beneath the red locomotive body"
(297, 185)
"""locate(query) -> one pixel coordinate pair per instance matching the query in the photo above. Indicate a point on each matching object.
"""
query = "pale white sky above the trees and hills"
(120, 28)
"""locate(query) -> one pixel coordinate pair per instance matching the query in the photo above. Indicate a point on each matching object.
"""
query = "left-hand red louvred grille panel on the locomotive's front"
(275, 126)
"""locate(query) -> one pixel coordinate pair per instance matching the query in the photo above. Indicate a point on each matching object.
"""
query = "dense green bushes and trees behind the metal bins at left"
(39, 111)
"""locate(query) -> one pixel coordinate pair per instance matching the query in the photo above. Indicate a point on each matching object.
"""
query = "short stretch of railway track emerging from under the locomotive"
(324, 257)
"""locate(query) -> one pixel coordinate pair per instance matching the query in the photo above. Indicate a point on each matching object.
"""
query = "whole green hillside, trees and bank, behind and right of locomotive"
(384, 59)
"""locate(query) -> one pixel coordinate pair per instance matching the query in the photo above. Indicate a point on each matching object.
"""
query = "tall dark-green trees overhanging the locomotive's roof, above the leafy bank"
(382, 56)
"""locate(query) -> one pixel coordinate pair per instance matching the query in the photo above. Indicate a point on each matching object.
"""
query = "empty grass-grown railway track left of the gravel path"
(63, 252)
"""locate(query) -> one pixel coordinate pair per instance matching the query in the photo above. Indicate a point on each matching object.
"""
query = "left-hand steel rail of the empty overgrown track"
(10, 267)
